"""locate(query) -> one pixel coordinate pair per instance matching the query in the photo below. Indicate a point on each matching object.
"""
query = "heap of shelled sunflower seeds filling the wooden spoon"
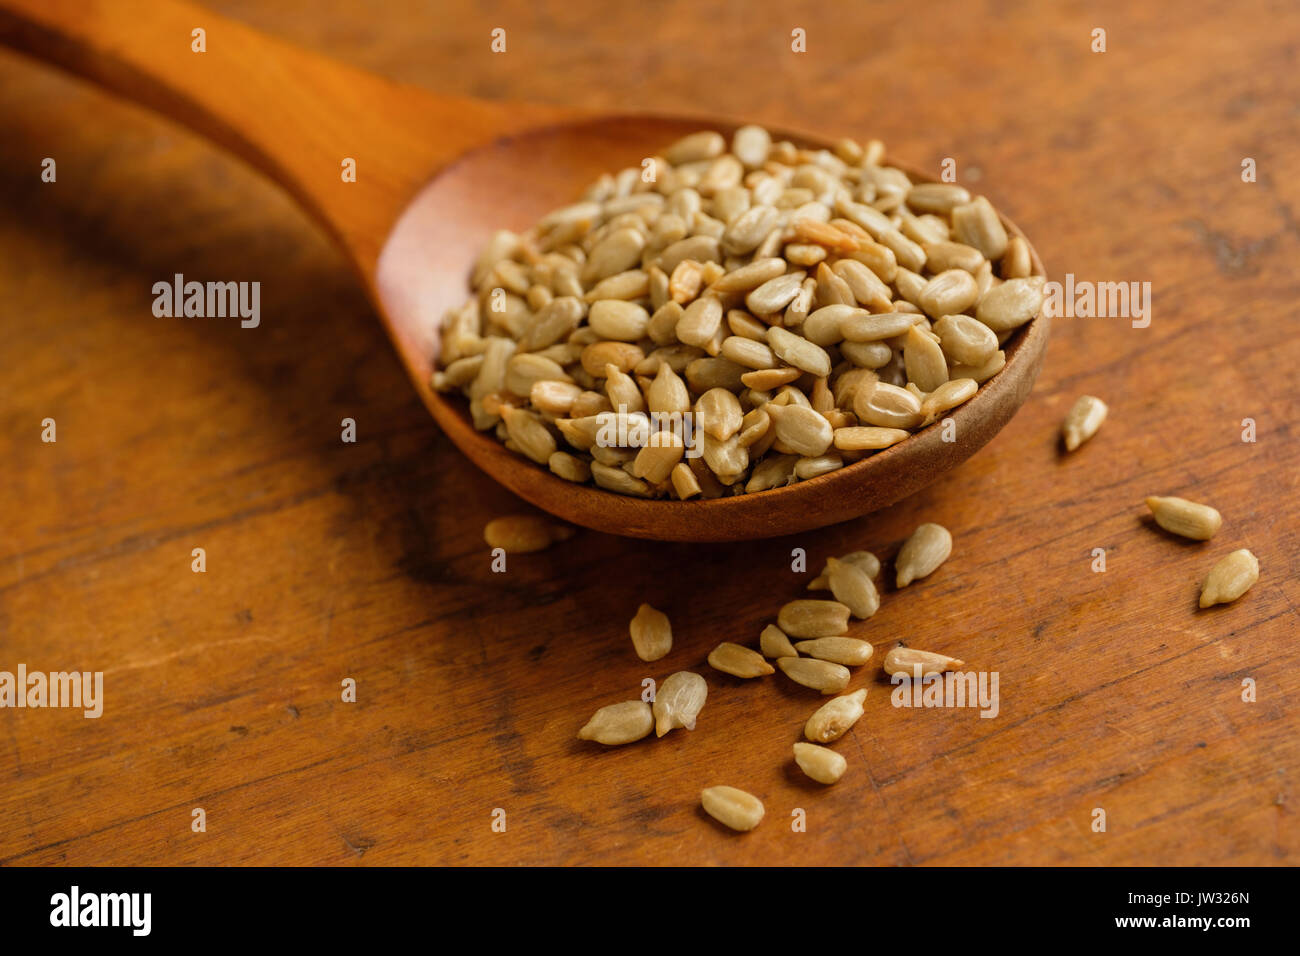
(729, 321)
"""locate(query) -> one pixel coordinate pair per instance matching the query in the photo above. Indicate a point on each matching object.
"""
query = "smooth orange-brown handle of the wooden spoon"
(292, 114)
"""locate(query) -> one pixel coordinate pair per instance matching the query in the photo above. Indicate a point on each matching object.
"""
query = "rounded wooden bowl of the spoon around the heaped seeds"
(512, 184)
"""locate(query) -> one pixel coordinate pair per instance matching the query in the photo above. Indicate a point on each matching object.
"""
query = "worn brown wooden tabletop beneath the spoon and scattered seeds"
(331, 560)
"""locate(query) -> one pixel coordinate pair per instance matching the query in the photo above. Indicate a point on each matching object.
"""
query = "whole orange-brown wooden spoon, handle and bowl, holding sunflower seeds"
(436, 176)
